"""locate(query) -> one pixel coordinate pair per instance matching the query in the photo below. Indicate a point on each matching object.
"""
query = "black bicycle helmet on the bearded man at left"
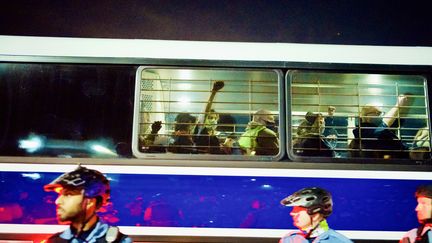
(94, 183)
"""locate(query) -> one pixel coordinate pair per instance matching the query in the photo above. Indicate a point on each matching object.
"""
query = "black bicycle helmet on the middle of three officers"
(314, 199)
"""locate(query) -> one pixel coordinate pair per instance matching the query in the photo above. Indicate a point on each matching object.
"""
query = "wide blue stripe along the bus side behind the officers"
(219, 201)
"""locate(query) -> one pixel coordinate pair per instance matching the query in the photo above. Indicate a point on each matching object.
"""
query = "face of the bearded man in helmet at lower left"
(69, 204)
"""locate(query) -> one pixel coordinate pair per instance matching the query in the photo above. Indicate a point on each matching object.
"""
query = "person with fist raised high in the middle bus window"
(206, 140)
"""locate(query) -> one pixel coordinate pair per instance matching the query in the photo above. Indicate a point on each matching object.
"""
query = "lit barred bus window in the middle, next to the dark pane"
(222, 112)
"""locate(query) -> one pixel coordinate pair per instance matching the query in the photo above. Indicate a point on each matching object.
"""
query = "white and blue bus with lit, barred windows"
(202, 140)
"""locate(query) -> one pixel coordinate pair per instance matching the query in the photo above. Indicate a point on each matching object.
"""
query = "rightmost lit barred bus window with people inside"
(342, 115)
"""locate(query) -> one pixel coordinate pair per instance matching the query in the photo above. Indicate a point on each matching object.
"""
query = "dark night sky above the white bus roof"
(366, 22)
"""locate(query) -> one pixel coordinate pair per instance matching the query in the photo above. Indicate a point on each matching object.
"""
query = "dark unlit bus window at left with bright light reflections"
(70, 111)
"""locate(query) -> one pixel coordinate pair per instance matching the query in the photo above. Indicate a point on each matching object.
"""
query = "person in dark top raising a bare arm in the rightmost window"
(373, 138)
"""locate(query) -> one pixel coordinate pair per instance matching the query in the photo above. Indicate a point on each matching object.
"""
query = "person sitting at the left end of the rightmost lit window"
(310, 140)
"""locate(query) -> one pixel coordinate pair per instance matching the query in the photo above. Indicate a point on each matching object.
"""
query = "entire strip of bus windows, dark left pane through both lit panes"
(66, 110)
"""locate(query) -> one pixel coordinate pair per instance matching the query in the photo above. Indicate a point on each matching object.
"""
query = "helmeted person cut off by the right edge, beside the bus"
(423, 233)
